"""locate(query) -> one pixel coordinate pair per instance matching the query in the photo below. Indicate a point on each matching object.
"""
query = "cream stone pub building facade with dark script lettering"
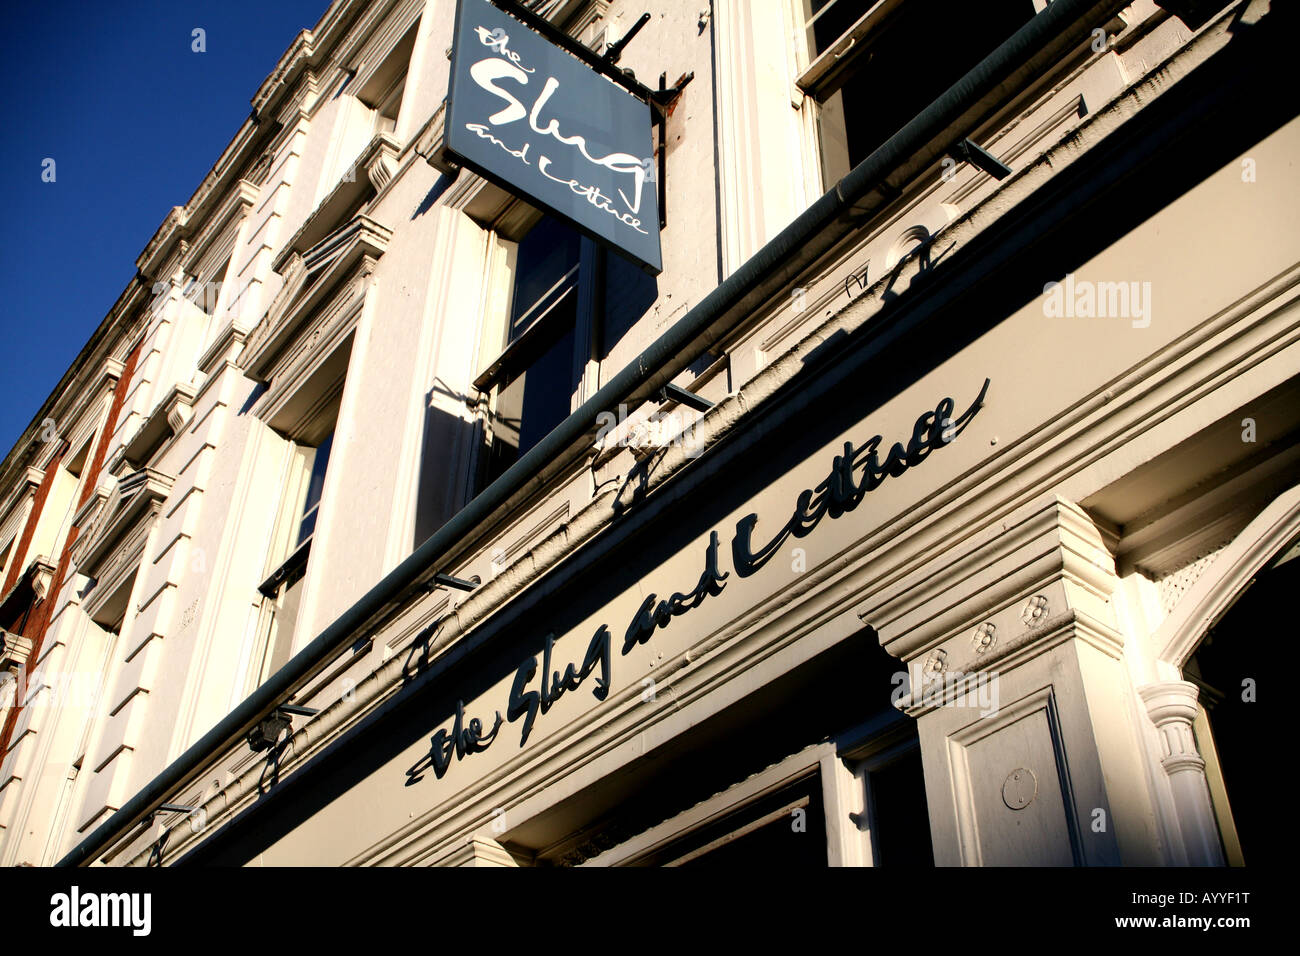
(931, 507)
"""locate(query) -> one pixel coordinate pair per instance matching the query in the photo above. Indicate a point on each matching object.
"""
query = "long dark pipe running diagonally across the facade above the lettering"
(870, 187)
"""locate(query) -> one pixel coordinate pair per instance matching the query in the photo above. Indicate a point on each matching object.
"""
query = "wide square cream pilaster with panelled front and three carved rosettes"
(1025, 708)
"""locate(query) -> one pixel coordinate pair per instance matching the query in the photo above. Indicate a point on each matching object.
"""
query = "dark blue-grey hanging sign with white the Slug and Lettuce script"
(544, 126)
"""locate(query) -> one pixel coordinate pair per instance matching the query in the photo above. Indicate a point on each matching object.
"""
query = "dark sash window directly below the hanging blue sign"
(571, 304)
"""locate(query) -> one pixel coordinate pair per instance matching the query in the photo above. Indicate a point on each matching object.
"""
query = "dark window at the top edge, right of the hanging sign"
(873, 66)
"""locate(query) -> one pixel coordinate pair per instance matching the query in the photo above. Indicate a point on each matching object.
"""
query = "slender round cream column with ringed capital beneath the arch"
(1172, 707)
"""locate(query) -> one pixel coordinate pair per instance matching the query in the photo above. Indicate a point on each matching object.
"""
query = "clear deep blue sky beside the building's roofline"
(135, 119)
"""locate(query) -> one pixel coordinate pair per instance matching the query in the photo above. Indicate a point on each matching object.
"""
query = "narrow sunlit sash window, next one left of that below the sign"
(292, 542)
